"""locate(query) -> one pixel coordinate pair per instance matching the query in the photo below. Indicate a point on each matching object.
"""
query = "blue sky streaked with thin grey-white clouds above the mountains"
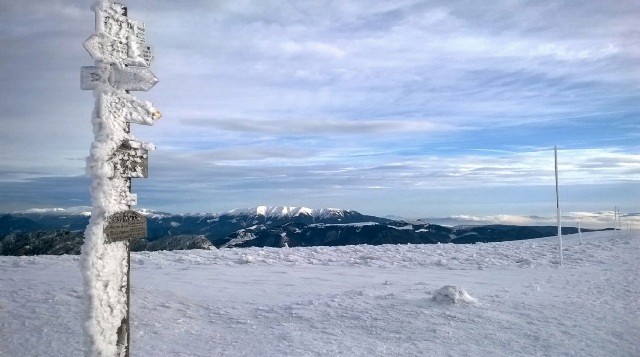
(407, 108)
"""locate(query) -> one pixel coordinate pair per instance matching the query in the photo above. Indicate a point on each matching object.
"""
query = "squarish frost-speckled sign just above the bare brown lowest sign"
(131, 160)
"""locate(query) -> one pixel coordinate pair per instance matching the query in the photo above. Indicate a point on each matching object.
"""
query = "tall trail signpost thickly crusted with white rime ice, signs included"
(121, 59)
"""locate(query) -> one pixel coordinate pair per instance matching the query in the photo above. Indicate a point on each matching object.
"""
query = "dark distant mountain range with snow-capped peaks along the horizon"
(60, 231)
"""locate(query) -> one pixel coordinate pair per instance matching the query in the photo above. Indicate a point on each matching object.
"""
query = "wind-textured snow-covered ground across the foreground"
(348, 301)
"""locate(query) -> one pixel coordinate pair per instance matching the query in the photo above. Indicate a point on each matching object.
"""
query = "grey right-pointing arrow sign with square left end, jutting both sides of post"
(127, 78)
